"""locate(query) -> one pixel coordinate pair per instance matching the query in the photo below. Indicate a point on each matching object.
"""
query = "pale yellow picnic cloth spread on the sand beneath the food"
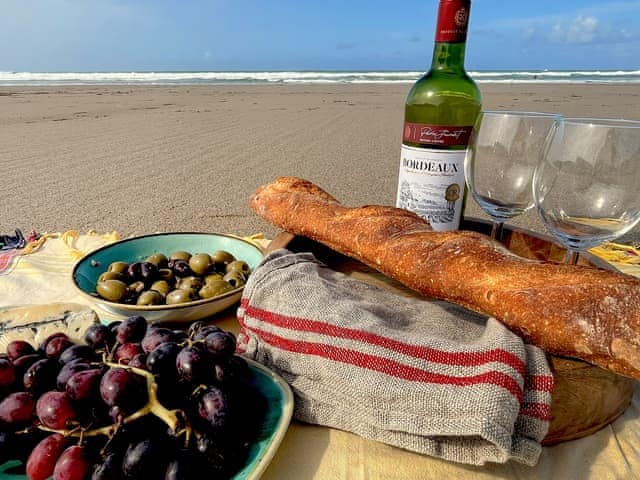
(43, 275)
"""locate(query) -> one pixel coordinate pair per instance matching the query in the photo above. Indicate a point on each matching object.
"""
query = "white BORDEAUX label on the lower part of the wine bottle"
(431, 184)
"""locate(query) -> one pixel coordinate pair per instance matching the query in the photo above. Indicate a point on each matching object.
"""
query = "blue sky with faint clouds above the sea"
(125, 35)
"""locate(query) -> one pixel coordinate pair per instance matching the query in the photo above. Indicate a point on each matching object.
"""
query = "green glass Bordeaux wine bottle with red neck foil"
(440, 112)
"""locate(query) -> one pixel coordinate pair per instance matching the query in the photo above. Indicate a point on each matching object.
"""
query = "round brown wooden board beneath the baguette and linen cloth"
(585, 399)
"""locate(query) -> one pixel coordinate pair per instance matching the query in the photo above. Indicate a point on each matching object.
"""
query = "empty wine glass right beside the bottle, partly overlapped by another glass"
(503, 152)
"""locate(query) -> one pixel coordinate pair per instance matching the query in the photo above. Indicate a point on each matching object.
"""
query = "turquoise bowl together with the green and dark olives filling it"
(140, 275)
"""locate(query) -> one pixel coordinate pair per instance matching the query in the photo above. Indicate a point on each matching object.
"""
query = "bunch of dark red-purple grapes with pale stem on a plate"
(135, 400)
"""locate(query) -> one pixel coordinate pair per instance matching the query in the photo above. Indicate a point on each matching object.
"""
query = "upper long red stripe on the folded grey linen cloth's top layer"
(434, 355)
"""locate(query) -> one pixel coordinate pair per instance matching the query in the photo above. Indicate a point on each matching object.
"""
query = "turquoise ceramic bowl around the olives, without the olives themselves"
(88, 269)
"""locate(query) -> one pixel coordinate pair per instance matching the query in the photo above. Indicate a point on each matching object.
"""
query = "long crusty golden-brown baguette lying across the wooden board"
(576, 311)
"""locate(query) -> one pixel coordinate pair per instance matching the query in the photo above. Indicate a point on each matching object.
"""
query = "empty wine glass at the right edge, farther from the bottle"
(587, 187)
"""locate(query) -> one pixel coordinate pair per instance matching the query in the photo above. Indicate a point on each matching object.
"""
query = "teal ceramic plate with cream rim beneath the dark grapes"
(274, 426)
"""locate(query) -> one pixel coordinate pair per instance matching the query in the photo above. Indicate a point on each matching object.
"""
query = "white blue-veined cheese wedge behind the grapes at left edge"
(34, 323)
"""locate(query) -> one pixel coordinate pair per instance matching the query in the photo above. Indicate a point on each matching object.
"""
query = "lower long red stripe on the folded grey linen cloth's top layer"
(386, 366)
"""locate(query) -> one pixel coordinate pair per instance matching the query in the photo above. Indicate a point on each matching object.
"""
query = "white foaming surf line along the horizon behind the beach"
(298, 77)
